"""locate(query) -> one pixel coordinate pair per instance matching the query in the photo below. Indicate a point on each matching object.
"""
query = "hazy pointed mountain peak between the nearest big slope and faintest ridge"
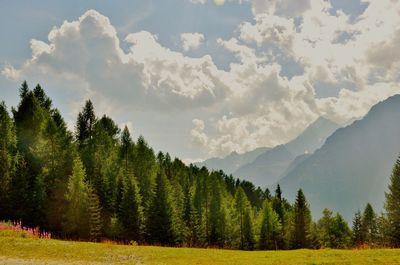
(268, 167)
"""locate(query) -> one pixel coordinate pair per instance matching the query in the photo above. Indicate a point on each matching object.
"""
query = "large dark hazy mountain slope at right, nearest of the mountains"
(353, 166)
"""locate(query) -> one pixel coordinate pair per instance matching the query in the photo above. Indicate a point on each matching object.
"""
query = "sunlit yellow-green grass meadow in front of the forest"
(15, 249)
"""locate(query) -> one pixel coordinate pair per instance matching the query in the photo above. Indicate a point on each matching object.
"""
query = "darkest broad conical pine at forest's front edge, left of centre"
(160, 227)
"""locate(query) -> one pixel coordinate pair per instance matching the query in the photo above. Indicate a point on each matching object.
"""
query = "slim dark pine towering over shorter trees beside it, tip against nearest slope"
(302, 222)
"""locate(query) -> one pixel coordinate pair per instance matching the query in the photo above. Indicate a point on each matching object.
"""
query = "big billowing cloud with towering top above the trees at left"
(148, 75)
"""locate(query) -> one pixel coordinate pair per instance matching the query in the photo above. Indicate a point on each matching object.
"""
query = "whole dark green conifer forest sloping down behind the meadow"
(99, 183)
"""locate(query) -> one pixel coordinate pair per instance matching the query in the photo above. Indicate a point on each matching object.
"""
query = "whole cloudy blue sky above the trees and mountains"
(204, 78)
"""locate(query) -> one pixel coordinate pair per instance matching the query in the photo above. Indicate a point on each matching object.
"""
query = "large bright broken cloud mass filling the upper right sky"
(272, 108)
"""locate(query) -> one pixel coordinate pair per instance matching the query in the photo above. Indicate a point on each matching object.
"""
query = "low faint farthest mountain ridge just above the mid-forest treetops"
(233, 161)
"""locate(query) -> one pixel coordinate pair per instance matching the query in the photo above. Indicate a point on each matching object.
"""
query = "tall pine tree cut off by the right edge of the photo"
(392, 204)
